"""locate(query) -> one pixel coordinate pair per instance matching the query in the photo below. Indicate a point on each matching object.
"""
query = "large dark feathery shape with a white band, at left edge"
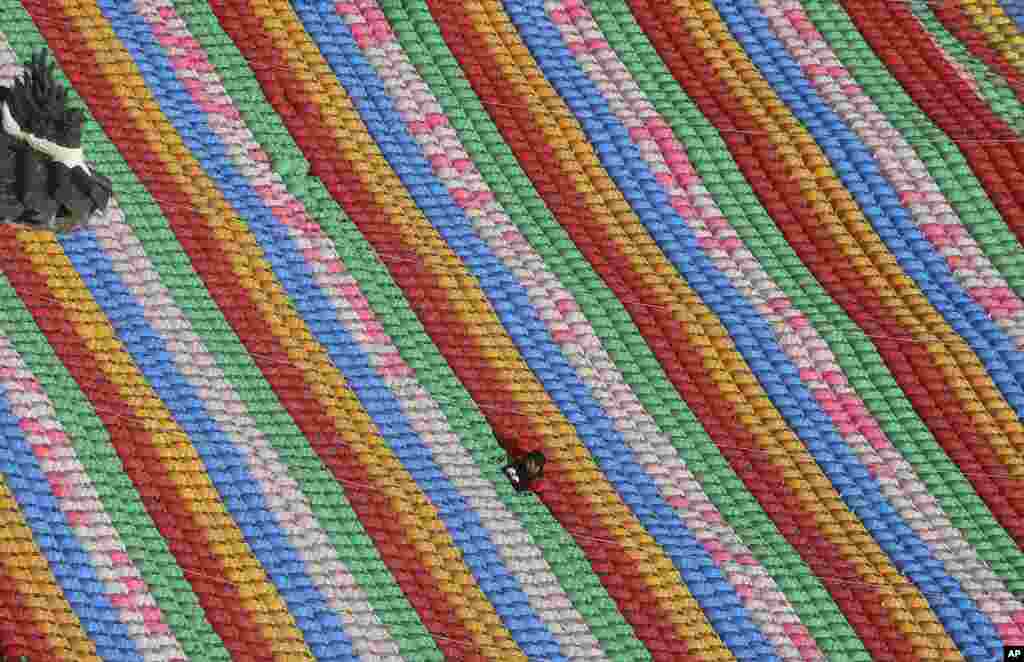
(46, 183)
